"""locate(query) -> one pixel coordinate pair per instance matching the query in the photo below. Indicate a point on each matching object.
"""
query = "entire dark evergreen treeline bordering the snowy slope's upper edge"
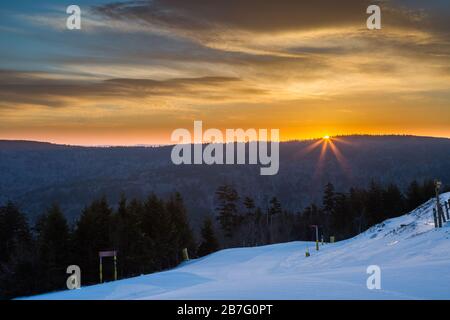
(150, 234)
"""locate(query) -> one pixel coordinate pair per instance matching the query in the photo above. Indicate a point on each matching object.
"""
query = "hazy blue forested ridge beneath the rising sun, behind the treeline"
(35, 174)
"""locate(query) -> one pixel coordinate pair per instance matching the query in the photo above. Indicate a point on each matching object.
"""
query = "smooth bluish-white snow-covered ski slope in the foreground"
(413, 256)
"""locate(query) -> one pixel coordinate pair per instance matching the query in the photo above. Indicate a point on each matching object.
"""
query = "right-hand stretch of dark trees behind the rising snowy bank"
(341, 214)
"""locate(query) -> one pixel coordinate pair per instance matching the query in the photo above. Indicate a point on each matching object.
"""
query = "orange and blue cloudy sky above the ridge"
(137, 70)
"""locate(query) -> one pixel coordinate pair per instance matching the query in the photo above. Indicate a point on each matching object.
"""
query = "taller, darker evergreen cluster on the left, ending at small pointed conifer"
(149, 236)
